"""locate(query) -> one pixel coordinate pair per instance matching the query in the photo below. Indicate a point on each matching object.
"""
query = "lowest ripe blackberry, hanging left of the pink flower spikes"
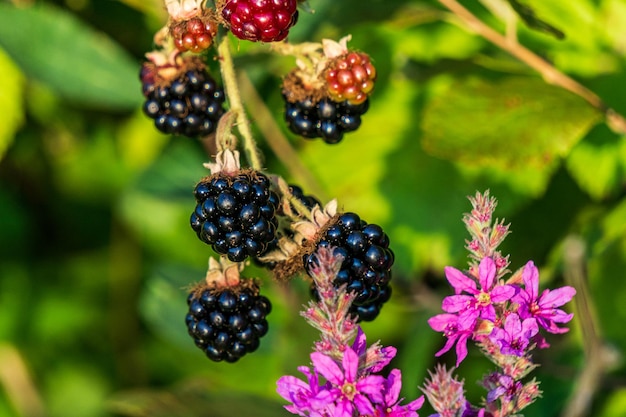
(227, 323)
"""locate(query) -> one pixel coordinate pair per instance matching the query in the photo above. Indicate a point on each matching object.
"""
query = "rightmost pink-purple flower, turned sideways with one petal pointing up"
(543, 308)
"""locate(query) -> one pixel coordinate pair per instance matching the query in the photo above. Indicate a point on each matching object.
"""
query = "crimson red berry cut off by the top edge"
(259, 20)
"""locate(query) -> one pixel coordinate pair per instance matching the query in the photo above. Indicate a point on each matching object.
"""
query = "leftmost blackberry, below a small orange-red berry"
(190, 105)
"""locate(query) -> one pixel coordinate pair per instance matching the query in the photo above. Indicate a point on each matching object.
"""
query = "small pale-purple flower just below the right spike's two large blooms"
(516, 334)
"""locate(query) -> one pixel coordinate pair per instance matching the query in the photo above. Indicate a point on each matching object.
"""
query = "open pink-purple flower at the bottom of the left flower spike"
(347, 390)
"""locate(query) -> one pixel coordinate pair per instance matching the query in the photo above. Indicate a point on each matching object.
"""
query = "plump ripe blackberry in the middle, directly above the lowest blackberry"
(235, 214)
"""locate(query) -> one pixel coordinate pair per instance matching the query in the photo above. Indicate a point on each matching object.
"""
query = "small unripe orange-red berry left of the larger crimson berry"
(195, 34)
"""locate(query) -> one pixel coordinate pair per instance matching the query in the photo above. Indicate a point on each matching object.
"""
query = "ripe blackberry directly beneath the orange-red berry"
(324, 119)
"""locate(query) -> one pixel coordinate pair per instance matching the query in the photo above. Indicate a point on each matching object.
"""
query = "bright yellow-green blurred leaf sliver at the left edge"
(11, 90)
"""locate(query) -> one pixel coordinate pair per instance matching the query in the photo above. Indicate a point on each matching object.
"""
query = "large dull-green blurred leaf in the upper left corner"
(73, 59)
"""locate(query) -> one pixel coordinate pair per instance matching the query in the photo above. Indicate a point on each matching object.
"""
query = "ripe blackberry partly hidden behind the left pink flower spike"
(366, 268)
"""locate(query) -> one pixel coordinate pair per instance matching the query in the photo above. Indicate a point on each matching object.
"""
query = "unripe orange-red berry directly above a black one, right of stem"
(350, 77)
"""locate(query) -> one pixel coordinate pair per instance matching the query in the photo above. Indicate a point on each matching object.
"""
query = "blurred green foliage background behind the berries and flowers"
(96, 249)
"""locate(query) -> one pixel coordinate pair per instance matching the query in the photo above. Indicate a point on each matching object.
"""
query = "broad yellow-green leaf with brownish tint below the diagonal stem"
(513, 123)
